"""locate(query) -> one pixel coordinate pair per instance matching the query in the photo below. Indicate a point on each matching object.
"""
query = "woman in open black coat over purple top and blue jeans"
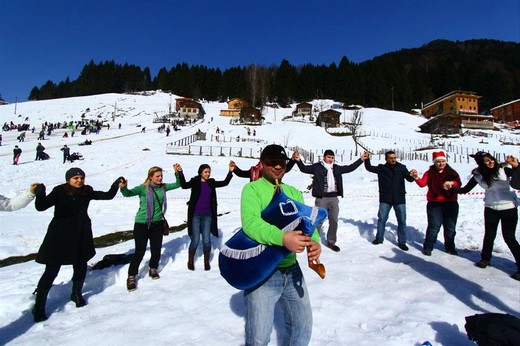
(202, 209)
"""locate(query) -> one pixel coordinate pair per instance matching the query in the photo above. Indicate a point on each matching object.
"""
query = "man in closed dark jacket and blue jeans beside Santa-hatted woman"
(391, 177)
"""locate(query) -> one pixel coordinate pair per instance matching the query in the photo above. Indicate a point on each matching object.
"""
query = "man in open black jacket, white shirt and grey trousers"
(327, 185)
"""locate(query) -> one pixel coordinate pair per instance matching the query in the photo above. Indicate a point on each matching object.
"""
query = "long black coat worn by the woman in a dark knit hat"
(69, 237)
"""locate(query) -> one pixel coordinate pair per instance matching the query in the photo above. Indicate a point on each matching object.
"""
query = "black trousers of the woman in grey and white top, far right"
(509, 220)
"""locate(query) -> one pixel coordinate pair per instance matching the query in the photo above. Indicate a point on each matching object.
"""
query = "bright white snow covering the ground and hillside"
(372, 295)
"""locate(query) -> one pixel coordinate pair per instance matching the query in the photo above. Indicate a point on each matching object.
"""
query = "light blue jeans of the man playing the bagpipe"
(287, 288)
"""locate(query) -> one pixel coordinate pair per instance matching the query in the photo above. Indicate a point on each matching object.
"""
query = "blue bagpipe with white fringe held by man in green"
(245, 264)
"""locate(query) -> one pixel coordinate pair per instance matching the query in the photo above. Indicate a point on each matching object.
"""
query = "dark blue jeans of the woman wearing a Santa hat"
(443, 214)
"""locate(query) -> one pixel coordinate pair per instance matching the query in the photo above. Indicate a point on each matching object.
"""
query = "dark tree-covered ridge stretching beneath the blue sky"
(399, 80)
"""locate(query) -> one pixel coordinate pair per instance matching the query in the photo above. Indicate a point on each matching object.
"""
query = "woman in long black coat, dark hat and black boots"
(69, 237)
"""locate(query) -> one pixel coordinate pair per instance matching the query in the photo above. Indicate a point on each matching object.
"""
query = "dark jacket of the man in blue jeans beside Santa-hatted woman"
(391, 181)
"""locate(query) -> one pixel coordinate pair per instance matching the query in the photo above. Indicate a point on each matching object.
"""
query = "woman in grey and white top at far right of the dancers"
(500, 205)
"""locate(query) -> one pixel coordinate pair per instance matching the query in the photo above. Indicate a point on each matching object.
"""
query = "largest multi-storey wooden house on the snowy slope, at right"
(454, 112)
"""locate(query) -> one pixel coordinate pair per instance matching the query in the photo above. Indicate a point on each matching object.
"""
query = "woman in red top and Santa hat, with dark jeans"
(442, 208)
